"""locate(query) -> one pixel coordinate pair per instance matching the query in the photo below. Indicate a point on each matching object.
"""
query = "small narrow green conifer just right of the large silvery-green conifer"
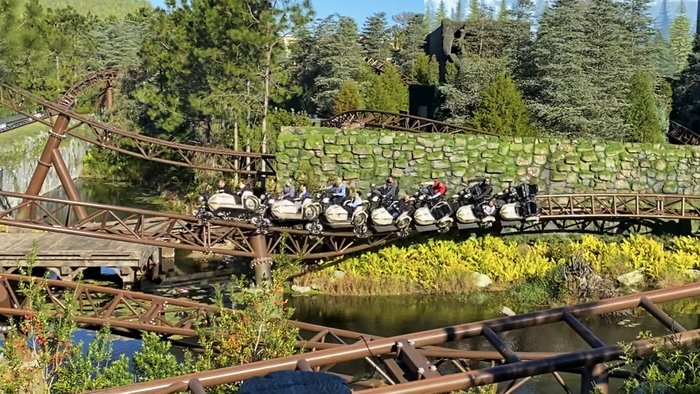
(642, 115)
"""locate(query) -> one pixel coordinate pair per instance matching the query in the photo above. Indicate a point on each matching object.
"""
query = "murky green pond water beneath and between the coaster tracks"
(390, 316)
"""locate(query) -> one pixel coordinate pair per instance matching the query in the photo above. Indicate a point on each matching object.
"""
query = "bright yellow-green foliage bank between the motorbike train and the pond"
(533, 267)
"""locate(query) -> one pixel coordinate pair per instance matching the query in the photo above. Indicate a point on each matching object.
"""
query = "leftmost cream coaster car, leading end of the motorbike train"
(224, 206)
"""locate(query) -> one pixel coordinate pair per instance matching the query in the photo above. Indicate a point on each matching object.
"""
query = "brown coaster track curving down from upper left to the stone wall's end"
(136, 145)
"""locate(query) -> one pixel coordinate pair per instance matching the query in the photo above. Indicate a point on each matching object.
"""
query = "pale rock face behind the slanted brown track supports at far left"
(19, 158)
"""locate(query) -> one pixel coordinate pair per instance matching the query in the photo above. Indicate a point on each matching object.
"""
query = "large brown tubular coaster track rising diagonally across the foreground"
(403, 362)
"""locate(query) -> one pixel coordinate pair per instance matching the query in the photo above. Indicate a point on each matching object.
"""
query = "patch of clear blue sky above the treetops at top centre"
(357, 9)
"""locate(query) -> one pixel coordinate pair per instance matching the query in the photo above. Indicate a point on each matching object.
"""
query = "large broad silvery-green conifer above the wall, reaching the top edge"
(583, 57)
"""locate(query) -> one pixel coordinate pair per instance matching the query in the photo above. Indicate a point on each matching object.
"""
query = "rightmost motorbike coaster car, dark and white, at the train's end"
(519, 205)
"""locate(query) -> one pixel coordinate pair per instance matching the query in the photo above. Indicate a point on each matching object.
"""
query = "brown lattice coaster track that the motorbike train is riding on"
(574, 212)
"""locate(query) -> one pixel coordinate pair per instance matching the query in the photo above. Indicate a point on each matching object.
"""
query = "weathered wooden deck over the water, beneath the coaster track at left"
(67, 255)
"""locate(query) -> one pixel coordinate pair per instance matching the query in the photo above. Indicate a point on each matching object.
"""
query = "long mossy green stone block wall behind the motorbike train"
(557, 166)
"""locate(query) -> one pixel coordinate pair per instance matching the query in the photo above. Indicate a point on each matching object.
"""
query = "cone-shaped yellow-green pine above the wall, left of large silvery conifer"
(503, 110)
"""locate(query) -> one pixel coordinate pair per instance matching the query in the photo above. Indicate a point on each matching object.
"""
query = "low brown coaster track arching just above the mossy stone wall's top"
(395, 121)
